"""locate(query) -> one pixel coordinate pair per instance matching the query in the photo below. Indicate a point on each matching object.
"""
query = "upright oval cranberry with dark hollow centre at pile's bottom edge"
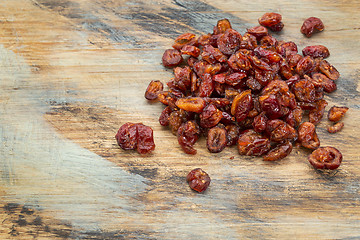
(216, 139)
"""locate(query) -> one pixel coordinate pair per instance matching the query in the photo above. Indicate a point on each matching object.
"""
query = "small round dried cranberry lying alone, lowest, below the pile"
(198, 180)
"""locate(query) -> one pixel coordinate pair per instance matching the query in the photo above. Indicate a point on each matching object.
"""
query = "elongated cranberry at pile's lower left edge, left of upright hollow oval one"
(188, 134)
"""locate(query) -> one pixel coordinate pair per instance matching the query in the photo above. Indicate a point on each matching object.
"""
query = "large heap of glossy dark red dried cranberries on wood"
(249, 90)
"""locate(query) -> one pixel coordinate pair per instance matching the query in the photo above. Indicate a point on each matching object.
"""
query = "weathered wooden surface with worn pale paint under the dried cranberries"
(72, 72)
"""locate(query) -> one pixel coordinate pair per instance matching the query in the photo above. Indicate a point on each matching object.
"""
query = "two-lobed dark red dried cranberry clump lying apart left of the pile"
(135, 136)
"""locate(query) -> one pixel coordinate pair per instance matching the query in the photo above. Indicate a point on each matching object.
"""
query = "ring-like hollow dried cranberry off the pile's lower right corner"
(325, 158)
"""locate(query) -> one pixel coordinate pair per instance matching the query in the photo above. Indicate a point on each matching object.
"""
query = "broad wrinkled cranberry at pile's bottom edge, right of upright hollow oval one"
(251, 143)
